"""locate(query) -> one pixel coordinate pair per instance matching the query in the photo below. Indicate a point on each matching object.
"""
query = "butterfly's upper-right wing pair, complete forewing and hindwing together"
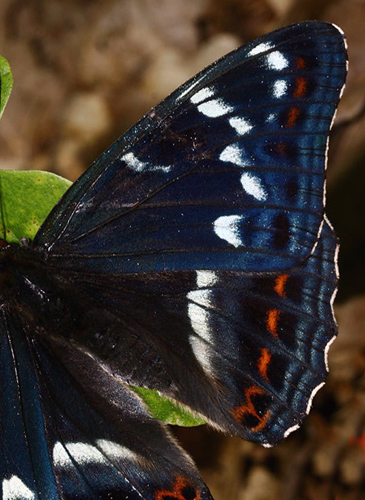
(226, 177)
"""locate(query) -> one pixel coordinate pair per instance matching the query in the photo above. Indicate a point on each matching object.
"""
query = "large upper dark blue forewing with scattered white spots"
(226, 174)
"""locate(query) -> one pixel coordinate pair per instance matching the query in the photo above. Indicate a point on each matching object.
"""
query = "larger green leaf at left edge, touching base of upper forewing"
(26, 198)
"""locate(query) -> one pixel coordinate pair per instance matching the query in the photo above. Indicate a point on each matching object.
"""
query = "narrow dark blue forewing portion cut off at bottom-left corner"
(24, 468)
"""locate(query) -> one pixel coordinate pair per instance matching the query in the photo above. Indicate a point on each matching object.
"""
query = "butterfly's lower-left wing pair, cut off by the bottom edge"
(55, 445)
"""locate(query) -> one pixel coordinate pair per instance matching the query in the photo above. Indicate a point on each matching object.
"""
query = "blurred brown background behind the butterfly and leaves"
(85, 71)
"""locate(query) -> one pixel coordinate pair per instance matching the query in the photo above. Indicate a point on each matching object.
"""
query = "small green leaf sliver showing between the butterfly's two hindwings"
(167, 410)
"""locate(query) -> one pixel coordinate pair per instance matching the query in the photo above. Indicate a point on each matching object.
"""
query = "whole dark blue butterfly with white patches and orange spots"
(192, 257)
